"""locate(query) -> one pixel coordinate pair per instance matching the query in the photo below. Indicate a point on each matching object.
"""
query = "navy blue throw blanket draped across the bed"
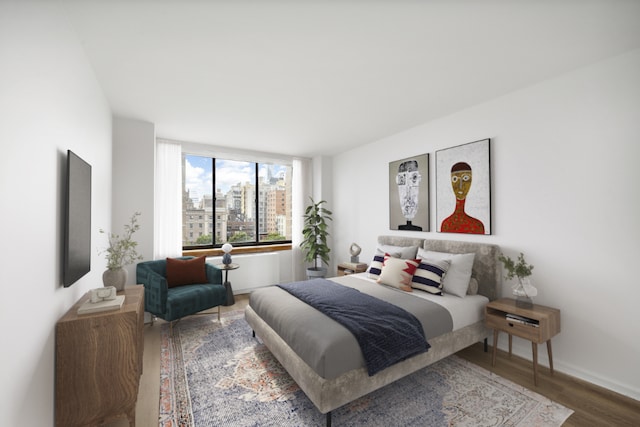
(387, 334)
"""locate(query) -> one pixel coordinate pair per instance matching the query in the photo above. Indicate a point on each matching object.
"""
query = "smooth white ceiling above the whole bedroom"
(310, 78)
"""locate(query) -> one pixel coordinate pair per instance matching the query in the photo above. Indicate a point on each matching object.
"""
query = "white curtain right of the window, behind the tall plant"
(301, 191)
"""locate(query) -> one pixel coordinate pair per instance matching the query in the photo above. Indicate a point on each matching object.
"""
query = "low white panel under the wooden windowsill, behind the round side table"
(256, 270)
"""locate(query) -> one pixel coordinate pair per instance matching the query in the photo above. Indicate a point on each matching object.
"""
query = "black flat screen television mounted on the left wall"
(77, 243)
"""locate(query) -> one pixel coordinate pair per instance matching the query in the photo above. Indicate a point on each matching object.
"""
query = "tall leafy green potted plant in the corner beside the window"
(314, 238)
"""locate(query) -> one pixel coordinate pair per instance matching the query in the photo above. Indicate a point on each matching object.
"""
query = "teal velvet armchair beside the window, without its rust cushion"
(172, 303)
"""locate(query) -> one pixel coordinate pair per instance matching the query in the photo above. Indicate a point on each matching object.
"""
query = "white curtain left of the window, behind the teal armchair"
(168, 200)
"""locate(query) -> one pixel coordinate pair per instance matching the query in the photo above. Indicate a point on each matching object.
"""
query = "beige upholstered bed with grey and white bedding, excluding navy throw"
(331, 372)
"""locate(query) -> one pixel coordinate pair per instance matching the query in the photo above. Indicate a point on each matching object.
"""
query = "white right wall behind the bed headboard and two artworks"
(565, 176)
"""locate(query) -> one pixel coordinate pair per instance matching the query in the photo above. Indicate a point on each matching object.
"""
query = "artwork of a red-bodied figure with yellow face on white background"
(463, 189)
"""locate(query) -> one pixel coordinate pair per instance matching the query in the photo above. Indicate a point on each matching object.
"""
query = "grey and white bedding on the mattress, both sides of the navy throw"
(329, 348)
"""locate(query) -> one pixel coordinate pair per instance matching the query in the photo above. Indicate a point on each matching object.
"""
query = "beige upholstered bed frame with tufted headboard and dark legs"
(330, 394)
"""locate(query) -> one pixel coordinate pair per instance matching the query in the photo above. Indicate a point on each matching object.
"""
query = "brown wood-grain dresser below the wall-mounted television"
(99, 362)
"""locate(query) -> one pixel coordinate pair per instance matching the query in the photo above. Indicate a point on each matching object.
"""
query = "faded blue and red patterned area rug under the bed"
(217, 374)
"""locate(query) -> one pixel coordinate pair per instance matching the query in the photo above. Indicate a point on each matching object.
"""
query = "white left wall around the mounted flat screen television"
(50, 101)
